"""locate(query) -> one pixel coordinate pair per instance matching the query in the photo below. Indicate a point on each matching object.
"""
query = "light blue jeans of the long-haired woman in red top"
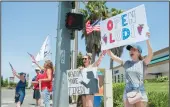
(46, 97)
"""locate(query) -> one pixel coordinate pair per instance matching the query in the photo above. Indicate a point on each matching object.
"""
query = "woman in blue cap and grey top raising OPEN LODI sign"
(134, 93)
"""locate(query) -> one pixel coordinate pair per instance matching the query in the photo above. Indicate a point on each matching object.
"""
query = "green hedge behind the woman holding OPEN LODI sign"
(155, 99)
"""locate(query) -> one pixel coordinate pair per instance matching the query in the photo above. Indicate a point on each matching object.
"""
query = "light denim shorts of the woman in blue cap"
(130, 87)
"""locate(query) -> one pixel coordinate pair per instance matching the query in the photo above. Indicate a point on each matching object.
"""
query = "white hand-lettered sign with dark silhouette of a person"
(82, 82)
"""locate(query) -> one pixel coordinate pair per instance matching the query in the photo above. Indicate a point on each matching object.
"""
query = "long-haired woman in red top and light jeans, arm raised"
(46, 81)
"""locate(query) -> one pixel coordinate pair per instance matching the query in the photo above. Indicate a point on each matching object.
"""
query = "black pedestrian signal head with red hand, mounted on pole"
(74, 21)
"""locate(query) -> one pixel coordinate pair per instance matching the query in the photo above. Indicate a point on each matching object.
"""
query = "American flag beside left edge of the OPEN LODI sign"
(94, 27)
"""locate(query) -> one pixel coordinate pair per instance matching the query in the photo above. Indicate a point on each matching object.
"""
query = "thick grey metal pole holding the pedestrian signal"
(60, 94)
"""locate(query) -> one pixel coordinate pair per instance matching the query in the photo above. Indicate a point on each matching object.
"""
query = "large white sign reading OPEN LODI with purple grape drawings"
(123, 29)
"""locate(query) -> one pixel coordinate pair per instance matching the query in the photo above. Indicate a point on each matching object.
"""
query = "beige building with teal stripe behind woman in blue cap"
(159, 66)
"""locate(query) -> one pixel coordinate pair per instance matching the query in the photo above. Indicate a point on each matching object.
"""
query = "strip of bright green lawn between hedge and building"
(158, 87)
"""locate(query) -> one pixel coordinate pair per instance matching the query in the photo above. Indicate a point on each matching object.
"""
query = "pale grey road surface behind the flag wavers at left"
(7, 98)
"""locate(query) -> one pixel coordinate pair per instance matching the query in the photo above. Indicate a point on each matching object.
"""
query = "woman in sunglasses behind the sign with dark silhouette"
(89, 98)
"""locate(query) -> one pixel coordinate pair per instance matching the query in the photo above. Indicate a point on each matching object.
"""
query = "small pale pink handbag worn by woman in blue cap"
(134, 96)
